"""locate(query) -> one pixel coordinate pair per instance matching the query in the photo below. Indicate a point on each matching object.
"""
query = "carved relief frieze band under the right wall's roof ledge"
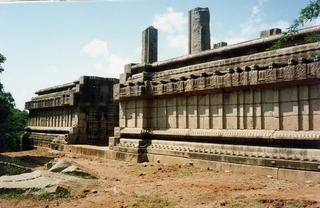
(240, 76)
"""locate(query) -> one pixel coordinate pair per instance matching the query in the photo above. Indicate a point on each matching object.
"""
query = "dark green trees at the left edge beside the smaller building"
(12, 120)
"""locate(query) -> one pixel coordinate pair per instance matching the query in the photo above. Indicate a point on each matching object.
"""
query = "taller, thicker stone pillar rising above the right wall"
(199, 31)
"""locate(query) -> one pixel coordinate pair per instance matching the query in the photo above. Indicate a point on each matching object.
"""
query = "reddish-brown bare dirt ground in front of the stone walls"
(123, 184)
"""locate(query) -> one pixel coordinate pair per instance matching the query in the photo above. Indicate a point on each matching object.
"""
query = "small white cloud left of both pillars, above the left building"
(96, 48)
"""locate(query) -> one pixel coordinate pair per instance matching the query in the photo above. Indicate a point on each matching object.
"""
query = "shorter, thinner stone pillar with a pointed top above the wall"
(149, 45)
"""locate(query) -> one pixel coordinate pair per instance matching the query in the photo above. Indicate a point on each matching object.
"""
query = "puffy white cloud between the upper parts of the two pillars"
(170, 21)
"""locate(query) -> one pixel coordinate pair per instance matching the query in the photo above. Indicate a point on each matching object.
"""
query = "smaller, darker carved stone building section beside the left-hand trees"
(79, 112)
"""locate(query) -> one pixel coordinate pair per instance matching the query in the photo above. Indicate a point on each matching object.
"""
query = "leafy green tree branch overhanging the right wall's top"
(309, 13)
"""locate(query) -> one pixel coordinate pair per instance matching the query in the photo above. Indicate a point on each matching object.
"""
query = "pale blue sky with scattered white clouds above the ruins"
(52, 43)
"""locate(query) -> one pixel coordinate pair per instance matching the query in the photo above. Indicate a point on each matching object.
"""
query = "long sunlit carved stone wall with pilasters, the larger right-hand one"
(239, 97)
